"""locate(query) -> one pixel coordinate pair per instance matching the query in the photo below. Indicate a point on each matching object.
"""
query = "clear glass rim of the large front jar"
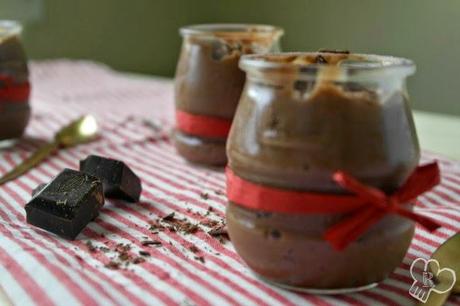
(368, 62)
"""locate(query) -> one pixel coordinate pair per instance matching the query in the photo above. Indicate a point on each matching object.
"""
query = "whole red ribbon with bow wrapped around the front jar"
(367, 204)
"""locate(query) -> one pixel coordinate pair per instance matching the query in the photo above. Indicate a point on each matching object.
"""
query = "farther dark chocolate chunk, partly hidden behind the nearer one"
(119, 180)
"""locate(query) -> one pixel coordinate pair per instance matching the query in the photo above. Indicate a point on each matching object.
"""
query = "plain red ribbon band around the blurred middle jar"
(203, 126)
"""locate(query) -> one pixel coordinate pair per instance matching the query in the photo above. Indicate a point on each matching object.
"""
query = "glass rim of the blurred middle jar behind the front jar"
(231, 29)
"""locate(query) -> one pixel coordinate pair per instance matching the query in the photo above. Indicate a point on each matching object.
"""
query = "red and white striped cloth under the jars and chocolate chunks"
(39, 268)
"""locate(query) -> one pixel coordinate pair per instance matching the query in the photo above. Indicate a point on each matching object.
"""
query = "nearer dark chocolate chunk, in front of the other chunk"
(67, 204)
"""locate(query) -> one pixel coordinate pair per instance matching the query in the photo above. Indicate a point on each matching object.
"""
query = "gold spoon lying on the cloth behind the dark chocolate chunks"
(80, 131)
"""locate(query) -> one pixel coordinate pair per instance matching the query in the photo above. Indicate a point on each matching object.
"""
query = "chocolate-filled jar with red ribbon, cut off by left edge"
(14, 82)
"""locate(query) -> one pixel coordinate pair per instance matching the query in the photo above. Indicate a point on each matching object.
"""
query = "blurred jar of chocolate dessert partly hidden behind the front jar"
(209, 83)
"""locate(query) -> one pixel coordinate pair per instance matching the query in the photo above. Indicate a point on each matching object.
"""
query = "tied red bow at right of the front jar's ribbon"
(422, 179)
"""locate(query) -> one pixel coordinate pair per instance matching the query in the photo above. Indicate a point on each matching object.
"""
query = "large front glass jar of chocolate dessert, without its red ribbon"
(302, 117)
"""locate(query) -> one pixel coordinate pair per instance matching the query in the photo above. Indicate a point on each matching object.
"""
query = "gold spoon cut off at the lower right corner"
(448, 256)
